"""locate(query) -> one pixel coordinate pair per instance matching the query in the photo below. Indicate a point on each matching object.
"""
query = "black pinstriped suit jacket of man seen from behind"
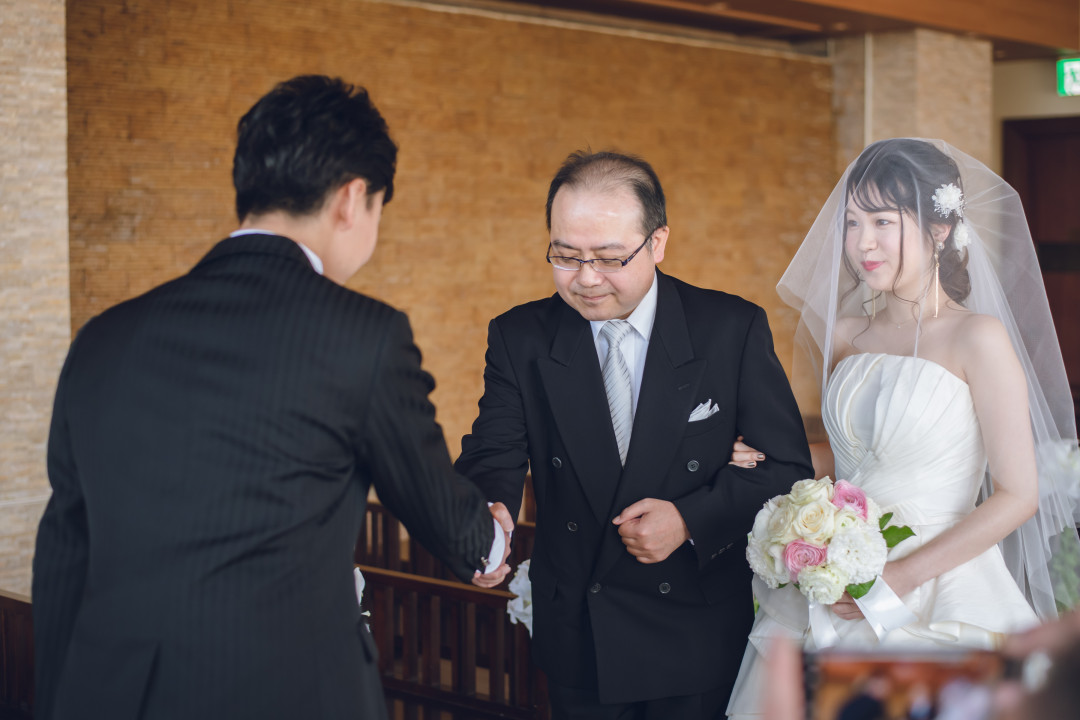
(212, 447)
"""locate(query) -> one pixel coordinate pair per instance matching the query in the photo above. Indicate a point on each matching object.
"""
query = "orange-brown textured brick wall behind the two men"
(484, 108)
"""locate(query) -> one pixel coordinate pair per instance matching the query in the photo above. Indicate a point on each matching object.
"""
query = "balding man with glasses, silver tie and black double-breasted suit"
(640, 580)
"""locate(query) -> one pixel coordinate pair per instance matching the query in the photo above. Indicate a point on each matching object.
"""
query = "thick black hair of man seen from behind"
(306, 139)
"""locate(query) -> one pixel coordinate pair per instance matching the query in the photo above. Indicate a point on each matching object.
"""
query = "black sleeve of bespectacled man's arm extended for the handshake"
(495, 456)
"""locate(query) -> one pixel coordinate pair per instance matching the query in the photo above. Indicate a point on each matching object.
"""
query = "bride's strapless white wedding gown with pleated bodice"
(904, 430)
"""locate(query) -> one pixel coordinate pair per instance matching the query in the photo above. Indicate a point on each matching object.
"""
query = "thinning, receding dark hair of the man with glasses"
(607, 171)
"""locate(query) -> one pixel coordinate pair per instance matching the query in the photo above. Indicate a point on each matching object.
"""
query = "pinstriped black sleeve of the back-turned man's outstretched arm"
(411, 465)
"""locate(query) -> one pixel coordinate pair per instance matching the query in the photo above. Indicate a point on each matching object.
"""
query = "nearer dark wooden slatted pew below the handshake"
(450, 648)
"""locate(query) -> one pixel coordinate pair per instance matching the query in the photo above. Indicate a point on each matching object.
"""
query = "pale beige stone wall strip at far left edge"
(35, 320)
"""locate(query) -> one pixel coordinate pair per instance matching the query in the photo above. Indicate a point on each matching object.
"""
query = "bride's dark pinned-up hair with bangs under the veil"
(903, 175)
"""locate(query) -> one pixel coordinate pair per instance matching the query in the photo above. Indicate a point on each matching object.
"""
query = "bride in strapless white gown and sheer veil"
(944, 398)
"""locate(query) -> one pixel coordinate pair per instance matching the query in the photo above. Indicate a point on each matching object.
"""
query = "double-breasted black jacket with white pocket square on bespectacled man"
(601, 618)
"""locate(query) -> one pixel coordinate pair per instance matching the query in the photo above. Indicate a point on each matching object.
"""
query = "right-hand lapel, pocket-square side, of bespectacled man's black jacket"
(669, 391)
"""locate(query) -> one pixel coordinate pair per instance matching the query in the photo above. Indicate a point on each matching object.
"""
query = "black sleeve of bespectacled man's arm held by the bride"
(721, 513)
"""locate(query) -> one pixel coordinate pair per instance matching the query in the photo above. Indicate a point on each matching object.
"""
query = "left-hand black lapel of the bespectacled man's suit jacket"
(575, 388)
